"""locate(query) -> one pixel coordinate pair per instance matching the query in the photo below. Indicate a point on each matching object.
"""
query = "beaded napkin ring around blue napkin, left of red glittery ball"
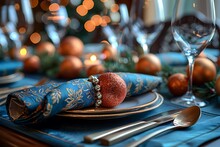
(97, 87)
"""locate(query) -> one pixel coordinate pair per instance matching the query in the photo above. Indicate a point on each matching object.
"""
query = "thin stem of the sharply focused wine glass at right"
(191, 67)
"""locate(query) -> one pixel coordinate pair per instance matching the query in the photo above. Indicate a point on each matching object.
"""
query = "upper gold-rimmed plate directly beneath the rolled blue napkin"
(129, 104)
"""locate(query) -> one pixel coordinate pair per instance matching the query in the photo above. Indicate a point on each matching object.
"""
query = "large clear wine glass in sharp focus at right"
(193, 27)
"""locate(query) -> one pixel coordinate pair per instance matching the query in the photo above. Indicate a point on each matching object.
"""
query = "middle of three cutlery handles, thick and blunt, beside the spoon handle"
(124, 134)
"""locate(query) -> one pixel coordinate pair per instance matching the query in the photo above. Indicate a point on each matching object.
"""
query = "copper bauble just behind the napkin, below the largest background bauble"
(70, 67)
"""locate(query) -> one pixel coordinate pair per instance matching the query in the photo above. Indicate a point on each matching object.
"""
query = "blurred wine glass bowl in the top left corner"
(16, 19)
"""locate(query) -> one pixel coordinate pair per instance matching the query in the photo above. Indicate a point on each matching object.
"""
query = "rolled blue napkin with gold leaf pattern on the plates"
(35, 104)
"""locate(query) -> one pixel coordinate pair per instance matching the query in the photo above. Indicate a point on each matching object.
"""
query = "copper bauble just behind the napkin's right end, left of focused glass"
(148, 64)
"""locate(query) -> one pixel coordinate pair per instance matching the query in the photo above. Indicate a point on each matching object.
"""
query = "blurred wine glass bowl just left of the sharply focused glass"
(147, 18)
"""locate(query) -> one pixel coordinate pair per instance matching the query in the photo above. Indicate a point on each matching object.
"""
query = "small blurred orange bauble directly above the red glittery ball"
(109, 52)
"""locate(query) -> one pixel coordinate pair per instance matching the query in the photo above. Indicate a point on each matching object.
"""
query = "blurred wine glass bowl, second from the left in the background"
(56, 21)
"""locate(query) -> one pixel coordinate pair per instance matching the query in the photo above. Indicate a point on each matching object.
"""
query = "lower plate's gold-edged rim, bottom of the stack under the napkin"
(114, 115)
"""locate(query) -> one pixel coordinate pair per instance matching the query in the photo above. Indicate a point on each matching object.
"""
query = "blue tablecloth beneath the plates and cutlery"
(59, 131)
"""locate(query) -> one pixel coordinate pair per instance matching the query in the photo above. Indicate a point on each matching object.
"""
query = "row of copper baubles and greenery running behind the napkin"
(66, 62)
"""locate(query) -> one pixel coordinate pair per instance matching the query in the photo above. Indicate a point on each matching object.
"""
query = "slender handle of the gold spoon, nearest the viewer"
(145, 138)
